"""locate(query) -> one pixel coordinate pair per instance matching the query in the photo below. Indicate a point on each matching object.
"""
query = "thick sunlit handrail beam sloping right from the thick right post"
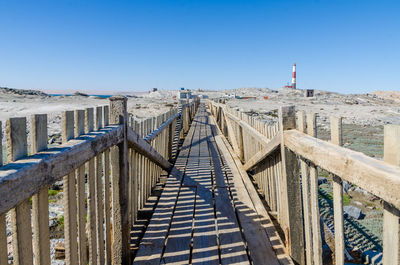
(349, 165)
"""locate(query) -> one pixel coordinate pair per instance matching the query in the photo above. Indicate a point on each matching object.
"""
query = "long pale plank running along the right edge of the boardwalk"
(255, 222)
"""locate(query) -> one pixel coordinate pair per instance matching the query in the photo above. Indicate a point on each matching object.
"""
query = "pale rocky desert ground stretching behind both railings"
(364, 117)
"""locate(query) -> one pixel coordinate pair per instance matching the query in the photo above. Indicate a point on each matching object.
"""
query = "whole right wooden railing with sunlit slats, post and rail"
(283, 159)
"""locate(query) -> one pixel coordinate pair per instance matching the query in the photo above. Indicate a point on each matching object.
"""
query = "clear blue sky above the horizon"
(346, 46)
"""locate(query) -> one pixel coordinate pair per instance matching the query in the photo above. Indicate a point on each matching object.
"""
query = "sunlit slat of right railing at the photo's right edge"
(391, 215)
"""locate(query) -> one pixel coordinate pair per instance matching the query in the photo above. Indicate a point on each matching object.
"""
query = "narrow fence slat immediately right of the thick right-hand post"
(305, 182)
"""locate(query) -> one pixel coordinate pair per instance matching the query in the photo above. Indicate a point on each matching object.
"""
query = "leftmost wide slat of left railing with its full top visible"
(21, 214)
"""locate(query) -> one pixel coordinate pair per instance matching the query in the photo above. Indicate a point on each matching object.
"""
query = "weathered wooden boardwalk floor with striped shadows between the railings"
(209, 211)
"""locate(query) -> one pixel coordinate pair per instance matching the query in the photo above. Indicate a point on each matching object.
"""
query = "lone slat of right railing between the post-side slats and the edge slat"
(336, 138)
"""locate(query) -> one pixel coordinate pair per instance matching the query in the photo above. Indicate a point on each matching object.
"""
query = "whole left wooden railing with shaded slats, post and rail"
(108, 166)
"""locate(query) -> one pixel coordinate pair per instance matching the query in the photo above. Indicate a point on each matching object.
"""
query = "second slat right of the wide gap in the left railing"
(81, 196)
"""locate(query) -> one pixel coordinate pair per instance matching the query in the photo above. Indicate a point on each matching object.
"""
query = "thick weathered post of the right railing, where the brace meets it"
(292, 219)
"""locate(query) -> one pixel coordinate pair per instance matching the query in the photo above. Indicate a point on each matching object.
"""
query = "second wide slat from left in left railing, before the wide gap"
(40, 202)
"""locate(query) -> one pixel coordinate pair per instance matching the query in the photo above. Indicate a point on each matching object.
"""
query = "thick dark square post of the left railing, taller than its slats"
(120, 185)
